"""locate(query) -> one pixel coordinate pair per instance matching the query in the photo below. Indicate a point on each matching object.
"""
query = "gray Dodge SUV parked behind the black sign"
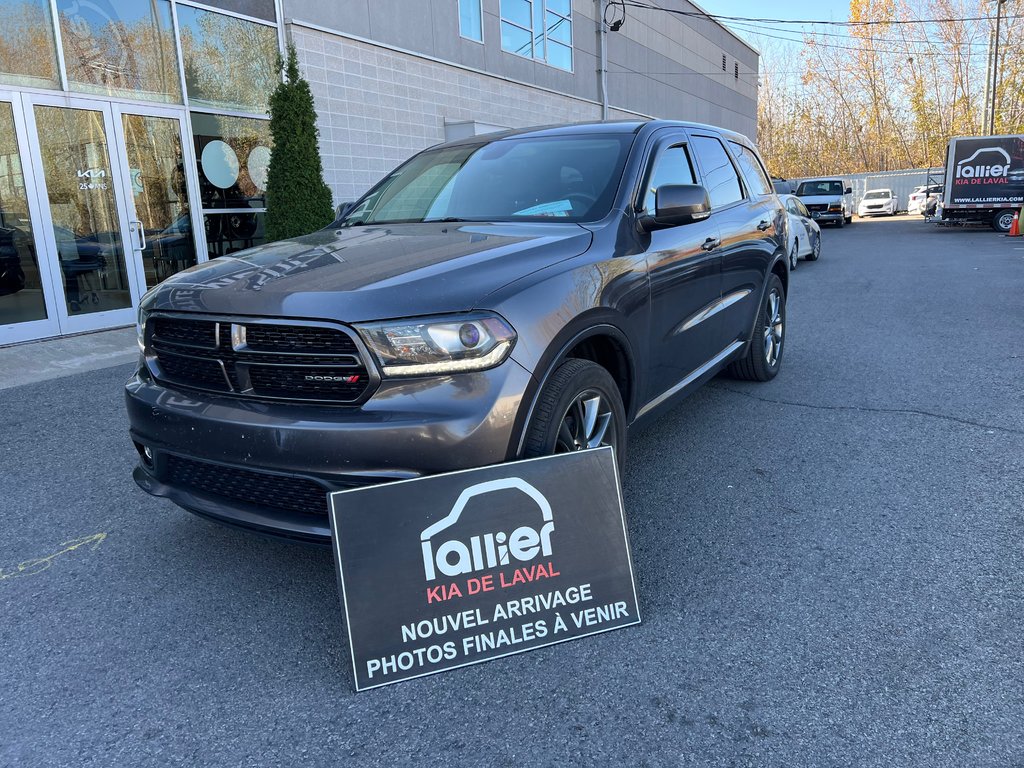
(505, 296)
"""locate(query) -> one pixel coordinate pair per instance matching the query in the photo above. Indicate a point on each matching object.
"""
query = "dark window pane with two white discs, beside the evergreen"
(233, 155)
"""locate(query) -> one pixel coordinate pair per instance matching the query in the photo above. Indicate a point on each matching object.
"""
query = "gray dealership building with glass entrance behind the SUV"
(135, 140)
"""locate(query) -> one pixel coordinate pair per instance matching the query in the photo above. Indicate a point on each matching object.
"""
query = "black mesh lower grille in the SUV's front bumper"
(260, 489)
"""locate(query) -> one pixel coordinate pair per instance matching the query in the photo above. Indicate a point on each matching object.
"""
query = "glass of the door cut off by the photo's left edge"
(21, 287)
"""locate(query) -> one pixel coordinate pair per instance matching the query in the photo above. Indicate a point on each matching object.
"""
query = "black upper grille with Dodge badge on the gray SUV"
(259, 360)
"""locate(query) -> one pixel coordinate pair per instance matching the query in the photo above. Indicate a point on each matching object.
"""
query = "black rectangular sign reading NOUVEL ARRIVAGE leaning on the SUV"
(454, 570)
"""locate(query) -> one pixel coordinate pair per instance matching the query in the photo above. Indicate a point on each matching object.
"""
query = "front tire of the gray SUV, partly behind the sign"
(565, 402)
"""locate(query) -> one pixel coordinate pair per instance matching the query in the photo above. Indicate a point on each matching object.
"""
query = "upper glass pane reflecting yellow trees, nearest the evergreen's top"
(231, 64)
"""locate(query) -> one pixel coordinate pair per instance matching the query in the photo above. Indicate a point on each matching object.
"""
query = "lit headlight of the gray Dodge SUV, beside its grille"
(425, 347)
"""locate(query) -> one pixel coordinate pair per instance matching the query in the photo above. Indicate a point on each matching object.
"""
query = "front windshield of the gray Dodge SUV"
(568, 179)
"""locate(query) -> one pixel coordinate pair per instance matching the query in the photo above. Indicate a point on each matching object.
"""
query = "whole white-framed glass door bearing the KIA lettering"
(83, 214)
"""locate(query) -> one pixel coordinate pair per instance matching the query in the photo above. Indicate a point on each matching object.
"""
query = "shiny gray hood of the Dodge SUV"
(372, 273)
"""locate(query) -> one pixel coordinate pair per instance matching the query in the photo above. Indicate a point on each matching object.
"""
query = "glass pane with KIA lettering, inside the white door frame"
(77, 170)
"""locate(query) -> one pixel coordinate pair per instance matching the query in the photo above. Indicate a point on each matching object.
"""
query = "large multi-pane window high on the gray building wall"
(539, 29)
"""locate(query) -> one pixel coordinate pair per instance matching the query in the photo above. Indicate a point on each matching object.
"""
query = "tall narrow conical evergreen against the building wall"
(298, 201)
